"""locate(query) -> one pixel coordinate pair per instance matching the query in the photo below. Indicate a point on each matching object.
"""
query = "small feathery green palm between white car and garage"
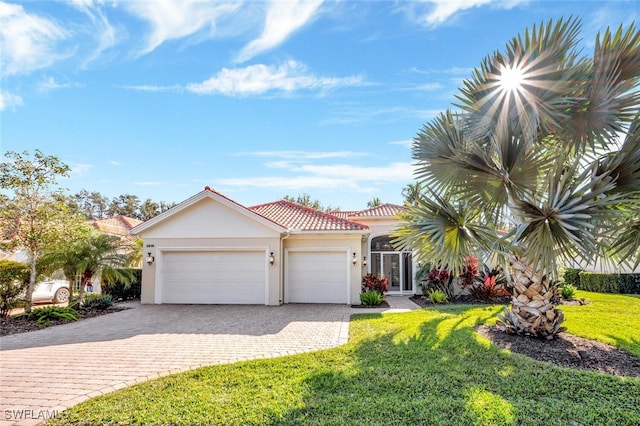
(100, 256)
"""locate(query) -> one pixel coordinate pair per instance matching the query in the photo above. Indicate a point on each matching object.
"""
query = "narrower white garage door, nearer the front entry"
(317, 277)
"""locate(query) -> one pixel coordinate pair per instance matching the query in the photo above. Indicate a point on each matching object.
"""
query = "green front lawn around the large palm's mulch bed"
(423, 367)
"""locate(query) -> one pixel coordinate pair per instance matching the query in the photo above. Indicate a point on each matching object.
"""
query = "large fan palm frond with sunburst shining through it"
(546, 63)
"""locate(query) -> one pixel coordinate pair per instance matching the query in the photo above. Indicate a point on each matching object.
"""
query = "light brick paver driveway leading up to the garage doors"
(46, 371)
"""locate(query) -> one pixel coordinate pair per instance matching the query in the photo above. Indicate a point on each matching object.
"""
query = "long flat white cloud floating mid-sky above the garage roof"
(259, 79)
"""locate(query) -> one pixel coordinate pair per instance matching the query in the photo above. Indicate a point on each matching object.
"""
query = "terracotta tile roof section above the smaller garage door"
(295, 216)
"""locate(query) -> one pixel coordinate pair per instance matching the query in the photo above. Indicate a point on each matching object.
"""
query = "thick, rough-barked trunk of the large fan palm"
(532, 311)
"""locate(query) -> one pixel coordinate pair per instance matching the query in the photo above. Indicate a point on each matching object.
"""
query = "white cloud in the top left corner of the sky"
(28, 41)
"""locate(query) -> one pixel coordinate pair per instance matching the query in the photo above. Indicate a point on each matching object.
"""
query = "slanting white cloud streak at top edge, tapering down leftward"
(282, 19)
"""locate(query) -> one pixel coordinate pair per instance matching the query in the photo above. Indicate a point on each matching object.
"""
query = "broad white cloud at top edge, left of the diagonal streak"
(176, 19)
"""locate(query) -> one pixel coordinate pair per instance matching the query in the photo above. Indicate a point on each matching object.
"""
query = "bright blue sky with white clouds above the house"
(256, 99)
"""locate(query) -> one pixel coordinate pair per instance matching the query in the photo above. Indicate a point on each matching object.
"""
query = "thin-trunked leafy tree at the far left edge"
(31, 218)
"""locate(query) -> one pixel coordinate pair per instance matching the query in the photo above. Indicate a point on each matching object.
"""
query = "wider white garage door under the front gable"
(213, 277)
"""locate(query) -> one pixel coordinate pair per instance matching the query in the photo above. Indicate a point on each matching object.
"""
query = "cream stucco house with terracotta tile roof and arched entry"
(211, 250)
